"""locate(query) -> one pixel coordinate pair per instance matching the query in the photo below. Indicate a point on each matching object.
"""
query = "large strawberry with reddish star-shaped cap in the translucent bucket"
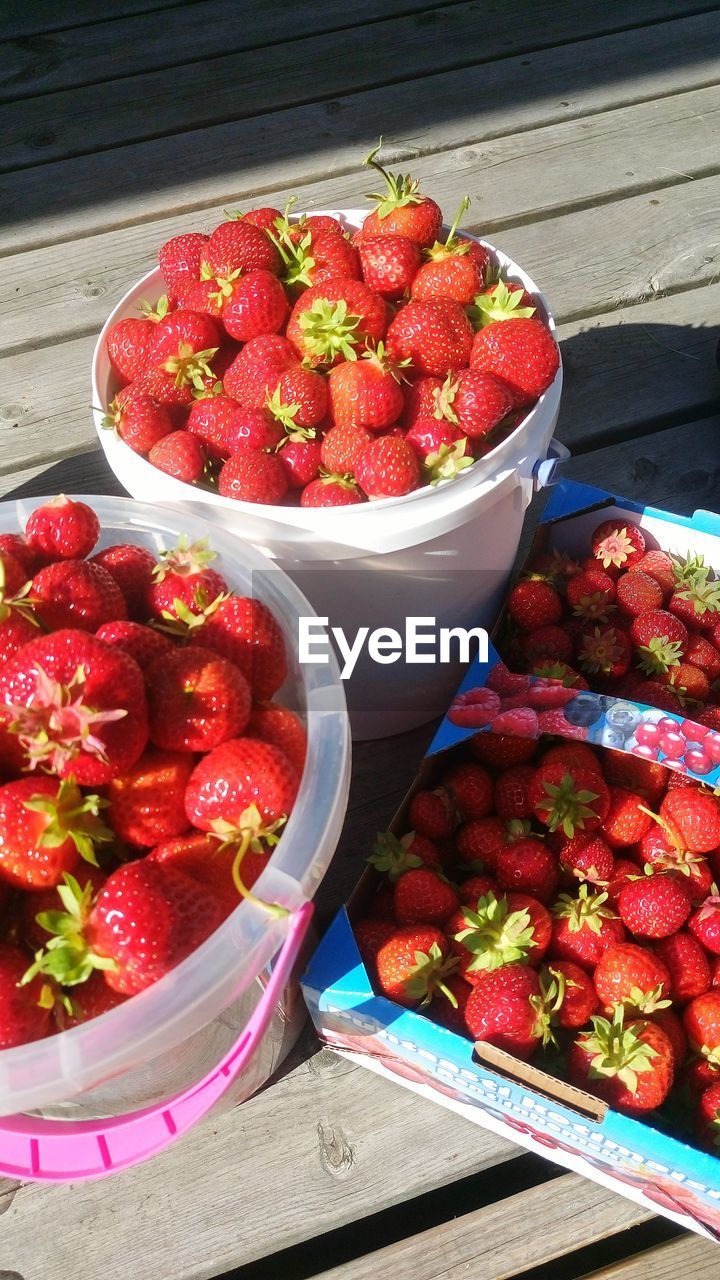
(74, 705)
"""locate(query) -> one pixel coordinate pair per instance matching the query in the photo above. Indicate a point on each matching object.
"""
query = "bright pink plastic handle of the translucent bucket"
(60, 1151)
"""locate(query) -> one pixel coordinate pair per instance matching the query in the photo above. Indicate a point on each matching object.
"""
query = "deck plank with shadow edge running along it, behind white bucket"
(195, 171)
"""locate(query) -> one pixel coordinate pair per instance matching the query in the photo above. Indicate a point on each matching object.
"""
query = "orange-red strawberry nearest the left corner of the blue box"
(413, 964)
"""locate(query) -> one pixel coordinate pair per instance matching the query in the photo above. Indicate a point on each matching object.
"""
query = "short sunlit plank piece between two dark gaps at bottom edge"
(503, 1240)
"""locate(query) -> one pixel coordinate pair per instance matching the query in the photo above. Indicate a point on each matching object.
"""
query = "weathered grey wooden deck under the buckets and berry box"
(589, 138)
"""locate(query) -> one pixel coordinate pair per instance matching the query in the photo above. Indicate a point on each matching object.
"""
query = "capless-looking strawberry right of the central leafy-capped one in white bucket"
(436, 337)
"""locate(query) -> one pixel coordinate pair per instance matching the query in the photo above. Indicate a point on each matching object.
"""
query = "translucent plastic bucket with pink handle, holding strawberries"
(221, 1018)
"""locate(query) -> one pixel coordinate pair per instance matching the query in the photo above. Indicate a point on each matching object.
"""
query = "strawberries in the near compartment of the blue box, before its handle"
(560, 904)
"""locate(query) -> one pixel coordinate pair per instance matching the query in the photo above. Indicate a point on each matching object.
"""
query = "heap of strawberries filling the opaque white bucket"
(294, 363)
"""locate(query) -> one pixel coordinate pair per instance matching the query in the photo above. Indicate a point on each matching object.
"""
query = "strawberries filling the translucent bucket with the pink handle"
(147, 767)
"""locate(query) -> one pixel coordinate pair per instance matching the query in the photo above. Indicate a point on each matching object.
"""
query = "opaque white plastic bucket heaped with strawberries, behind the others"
(445, 552)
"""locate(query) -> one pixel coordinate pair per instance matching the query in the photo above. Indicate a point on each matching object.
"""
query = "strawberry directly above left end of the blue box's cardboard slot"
(503, 1011)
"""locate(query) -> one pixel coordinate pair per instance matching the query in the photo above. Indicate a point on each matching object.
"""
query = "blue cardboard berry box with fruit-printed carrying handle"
(514, 1099)
